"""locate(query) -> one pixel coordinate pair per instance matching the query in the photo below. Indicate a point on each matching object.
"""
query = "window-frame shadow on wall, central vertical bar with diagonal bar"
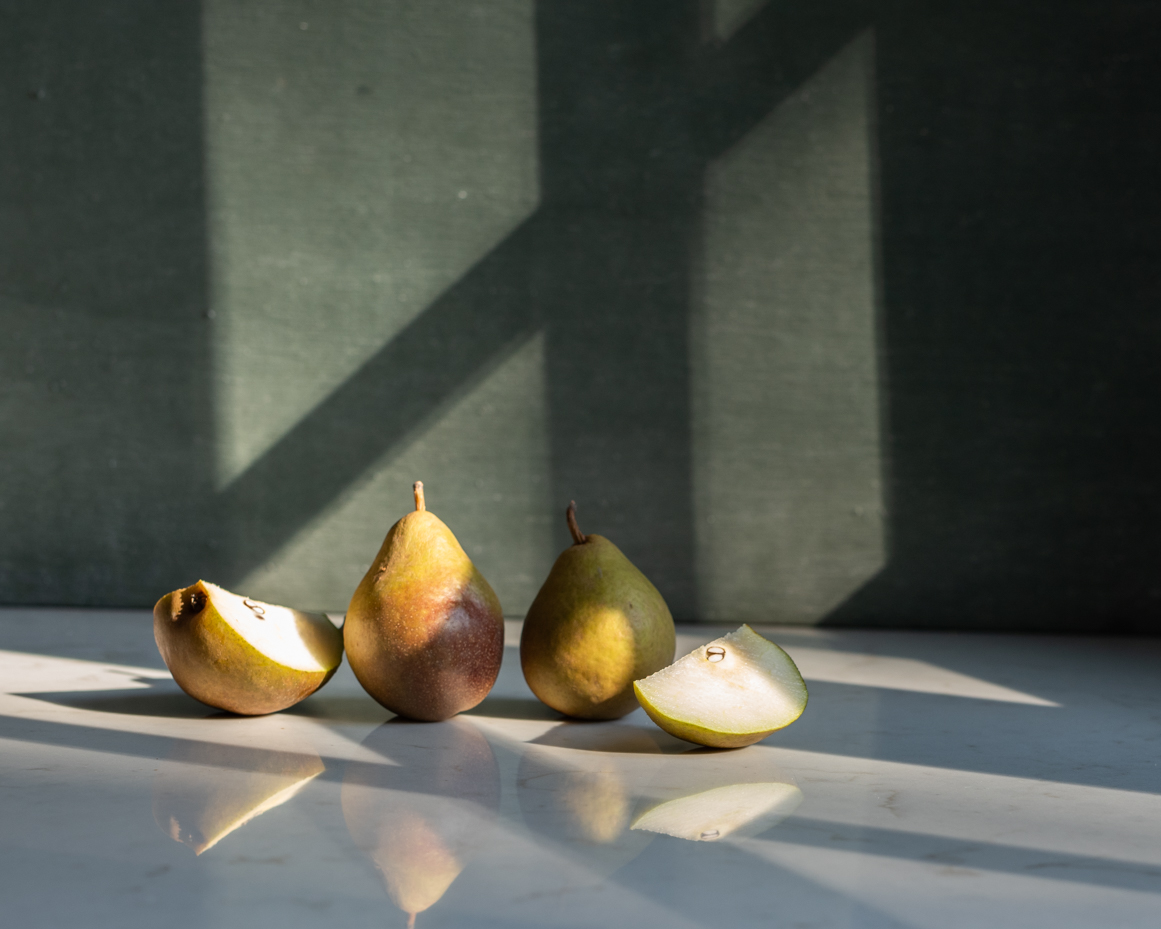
(633, 104)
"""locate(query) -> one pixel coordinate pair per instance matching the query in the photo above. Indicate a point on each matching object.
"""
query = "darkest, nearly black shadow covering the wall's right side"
(1021, 200)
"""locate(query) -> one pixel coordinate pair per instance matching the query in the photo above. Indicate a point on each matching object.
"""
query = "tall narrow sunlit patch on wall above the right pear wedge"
(788, 471)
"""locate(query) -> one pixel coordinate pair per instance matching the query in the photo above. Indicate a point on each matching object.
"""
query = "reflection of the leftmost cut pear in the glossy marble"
(205, 791)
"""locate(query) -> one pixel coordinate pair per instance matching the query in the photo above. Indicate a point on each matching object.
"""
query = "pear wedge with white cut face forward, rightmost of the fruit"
(729, 694)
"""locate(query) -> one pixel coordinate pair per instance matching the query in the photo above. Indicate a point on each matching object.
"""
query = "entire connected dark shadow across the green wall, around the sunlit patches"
(1019, 211)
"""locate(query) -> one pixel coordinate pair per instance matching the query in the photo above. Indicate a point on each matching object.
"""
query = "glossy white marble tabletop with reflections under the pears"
(934, 781)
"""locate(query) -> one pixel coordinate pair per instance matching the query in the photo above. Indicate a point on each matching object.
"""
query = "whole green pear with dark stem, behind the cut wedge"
(596, 626)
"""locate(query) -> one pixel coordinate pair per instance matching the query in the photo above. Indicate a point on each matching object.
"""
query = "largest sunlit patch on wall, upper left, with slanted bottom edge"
(360, 159)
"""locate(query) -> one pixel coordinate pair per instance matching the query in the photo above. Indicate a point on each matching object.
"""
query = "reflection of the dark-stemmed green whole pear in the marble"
(578, 791)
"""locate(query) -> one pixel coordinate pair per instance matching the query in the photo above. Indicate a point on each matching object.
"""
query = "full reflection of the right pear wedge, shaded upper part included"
(715, 796)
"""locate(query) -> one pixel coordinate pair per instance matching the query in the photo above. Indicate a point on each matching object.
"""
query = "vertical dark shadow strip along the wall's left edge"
(105, 366)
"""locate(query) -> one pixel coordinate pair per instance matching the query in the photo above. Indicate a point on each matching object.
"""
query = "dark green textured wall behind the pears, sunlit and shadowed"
(825, 312)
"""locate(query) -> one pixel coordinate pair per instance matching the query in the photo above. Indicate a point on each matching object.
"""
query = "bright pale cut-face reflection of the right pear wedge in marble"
(737, 811)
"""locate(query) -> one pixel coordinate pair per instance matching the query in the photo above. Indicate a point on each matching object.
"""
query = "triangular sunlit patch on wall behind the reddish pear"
(486, 467)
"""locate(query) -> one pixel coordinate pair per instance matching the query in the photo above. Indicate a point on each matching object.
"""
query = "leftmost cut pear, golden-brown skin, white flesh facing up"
(242, 656)
